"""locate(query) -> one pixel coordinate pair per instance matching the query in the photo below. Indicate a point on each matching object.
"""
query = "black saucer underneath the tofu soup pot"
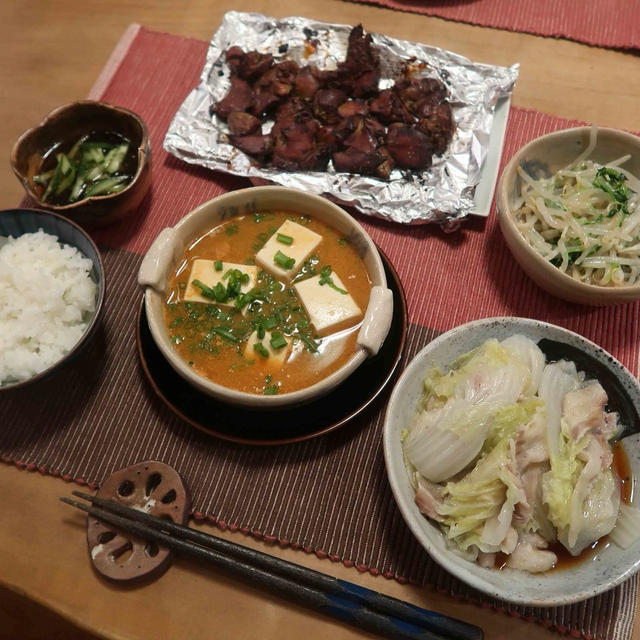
(279, 426)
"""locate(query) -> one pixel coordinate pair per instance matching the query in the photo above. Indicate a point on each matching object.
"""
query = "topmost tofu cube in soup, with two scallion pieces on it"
(304, 243)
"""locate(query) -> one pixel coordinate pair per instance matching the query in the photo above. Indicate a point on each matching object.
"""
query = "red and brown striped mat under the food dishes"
(329, 495)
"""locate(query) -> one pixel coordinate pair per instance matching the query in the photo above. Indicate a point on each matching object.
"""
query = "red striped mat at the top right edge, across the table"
(614, 24)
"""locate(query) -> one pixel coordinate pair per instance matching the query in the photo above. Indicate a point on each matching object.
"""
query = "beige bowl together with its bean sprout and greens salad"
(569, 210)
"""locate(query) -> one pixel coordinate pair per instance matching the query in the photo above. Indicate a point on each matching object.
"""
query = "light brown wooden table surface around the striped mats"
(51, 53)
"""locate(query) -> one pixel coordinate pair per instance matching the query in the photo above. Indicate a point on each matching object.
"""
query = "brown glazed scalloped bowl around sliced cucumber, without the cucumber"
(62, 127)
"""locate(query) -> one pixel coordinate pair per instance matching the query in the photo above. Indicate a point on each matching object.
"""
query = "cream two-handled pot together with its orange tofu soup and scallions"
(266, 297)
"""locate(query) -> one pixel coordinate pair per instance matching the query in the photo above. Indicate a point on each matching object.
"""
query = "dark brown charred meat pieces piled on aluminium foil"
(338, 115)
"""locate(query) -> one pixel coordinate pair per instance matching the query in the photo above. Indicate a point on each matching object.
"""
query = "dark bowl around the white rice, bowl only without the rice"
(17, 222)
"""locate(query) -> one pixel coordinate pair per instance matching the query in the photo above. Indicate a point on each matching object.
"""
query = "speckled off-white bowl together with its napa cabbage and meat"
(467, 355)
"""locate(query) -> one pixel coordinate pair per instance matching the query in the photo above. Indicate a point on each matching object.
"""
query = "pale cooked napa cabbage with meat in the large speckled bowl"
(508, 452)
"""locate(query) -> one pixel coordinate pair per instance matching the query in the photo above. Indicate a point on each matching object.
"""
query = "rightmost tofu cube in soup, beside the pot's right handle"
(328, 309)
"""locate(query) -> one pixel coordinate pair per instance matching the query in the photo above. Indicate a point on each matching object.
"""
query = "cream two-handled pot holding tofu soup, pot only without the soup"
(169, 246)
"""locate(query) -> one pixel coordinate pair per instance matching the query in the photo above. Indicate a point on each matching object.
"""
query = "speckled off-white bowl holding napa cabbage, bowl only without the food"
(610, 566)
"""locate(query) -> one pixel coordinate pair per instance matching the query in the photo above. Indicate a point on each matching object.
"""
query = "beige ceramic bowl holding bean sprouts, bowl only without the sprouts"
(546, 155)
